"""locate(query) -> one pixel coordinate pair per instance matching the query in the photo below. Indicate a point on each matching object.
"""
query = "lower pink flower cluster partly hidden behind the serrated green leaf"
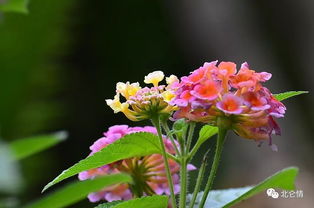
(151, 175)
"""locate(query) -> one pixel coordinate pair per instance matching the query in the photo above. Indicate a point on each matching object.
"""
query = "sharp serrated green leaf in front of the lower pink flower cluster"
(132, 145)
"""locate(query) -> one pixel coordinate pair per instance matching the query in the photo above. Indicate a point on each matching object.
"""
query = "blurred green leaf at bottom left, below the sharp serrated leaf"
(79, 190)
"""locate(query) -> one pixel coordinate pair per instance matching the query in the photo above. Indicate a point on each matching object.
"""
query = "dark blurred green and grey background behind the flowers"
(61, 61)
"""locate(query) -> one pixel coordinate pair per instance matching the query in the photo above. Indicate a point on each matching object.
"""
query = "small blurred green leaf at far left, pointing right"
(23, 148)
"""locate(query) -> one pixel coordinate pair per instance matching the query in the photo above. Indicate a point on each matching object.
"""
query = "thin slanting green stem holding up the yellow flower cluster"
(156, 123)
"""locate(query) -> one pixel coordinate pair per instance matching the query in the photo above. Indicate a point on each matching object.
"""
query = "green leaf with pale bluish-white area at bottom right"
(283, 179)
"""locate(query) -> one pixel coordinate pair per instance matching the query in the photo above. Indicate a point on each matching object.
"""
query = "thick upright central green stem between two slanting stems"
(183, 172)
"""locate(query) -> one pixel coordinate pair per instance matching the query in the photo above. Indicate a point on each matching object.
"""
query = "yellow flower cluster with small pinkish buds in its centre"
(143, 103)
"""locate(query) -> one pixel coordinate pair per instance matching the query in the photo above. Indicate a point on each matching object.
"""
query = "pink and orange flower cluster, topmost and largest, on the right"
(214, 91)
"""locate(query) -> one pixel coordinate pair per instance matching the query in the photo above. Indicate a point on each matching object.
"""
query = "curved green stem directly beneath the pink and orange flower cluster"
(219, 145)
